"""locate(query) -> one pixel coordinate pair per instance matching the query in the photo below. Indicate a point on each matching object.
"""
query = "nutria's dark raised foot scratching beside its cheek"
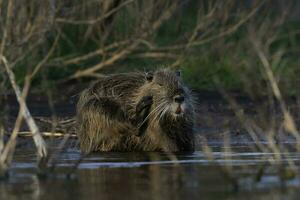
(142, 112)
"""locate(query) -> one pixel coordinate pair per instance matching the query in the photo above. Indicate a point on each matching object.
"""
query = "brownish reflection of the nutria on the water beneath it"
(141, 182)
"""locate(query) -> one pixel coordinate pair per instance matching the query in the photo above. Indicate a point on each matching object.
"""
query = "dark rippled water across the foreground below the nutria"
(150, 176)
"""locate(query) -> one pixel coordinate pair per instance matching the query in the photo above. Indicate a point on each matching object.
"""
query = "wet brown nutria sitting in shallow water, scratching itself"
(136, 112)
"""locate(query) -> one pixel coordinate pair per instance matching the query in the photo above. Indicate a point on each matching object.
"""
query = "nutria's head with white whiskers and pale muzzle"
(170, 96)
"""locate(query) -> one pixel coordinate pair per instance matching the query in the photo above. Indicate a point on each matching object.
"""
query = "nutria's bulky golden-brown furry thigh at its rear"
(102, 125)
